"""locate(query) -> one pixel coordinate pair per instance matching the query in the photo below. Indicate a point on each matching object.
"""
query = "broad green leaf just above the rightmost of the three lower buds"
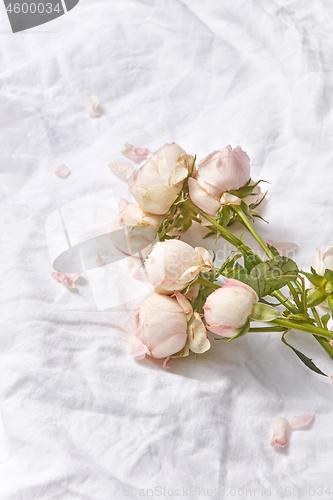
(272, 275)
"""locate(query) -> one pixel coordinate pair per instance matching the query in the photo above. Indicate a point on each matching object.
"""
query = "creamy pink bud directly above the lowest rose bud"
(173, 264)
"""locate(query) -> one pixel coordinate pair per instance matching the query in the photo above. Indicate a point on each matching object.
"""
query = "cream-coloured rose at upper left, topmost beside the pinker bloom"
(156, 185)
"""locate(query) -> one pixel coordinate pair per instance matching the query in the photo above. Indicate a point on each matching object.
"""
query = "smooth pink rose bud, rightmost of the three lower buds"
(228, 308)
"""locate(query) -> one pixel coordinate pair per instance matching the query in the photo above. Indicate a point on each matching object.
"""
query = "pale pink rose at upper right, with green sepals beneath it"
(224, 170)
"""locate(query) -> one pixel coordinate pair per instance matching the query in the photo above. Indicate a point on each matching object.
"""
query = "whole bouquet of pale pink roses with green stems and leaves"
(192, 296)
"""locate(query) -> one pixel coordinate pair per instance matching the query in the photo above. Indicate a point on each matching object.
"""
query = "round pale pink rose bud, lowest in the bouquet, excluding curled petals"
(161, 328)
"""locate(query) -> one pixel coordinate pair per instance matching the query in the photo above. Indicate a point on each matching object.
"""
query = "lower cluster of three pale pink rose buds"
(166, 325)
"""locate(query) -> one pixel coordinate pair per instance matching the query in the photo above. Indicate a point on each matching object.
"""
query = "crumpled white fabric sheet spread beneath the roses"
(81, 419)
